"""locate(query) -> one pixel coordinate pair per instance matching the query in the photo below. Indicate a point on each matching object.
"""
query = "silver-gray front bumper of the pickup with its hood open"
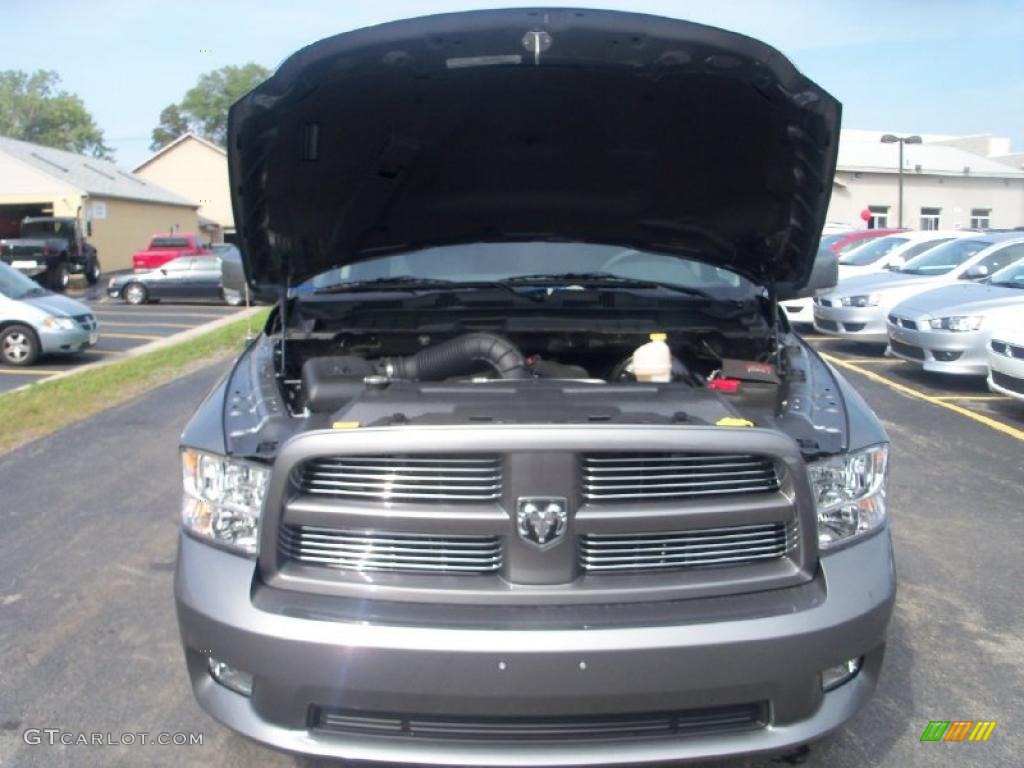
(302, 660)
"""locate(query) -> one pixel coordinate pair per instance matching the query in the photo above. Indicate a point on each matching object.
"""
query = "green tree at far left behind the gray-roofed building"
(34, 108)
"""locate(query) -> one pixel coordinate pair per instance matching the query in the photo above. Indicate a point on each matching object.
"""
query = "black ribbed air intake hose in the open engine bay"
(460, 357)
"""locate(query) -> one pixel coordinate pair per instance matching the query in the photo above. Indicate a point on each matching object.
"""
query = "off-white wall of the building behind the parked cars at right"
(955, 196)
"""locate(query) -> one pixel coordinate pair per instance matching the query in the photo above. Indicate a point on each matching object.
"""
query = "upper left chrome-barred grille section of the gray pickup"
(406, 479)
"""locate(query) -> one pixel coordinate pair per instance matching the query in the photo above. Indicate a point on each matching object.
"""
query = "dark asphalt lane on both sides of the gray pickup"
(89, 638)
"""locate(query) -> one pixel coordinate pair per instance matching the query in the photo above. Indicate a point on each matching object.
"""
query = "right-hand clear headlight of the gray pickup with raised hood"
(850, 494)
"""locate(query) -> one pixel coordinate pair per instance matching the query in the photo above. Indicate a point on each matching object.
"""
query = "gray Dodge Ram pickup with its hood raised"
(528, 467)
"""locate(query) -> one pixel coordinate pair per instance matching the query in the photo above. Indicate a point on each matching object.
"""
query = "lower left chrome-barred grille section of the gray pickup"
(399, 553)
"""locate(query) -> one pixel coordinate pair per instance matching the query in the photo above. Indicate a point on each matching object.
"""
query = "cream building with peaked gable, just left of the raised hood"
(196, 169)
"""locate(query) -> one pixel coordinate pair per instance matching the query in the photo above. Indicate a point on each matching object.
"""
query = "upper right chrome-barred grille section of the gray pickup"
(622, 478)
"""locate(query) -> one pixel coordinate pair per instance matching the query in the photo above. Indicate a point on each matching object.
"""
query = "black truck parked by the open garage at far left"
(52, 250)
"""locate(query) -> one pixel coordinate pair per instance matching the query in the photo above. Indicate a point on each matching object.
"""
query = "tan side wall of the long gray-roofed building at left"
(130, 225)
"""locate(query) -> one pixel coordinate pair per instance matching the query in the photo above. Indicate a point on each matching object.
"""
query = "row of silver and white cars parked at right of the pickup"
(955, 308)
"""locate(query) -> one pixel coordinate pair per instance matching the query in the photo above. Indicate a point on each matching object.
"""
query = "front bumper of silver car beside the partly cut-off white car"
(942, 352)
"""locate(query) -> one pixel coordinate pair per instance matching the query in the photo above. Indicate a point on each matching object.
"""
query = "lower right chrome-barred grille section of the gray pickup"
(687, 549)
